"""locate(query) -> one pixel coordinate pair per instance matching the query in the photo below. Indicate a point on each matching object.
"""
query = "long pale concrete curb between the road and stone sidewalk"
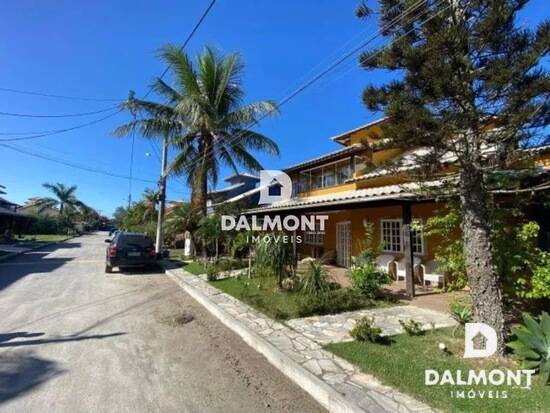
(319, 390)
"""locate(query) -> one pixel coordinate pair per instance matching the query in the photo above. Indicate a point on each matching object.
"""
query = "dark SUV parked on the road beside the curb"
(129, 249)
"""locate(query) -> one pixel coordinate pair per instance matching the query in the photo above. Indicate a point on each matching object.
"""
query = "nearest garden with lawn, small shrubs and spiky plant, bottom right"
(401, 361)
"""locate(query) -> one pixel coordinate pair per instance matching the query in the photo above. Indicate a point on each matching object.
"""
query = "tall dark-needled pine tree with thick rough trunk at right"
(468, 78)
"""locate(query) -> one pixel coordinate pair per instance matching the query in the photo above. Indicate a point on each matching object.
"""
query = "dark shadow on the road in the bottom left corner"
(22, 371)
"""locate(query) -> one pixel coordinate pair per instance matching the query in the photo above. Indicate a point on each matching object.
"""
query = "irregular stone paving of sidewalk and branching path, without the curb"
(301, 340)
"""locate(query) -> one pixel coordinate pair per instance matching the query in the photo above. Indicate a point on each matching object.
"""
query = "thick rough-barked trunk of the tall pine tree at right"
(485, 284)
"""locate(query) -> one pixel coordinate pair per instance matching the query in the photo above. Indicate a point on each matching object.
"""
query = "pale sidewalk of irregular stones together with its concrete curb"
(332, 381)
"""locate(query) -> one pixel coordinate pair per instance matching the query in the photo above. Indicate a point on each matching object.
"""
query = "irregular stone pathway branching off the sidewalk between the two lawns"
(335, 328)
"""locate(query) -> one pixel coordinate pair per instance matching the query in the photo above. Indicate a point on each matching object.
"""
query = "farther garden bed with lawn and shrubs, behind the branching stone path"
(283, 288)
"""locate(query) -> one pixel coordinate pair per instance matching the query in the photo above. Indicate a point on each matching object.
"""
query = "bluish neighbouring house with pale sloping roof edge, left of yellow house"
(243, 188)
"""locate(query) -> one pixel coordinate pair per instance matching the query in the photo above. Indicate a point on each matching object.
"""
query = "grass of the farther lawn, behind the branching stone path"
(262, 294)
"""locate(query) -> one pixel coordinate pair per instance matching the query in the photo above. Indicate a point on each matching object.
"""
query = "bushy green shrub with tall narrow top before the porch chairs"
(366, 278)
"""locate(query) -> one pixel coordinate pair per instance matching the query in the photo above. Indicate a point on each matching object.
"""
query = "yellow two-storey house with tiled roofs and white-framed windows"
(368, 182)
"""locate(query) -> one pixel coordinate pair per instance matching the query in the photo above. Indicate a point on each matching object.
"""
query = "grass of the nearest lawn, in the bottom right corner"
(401, 364)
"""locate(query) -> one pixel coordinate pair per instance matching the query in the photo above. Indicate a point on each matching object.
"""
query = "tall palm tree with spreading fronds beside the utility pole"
(204, 117)
